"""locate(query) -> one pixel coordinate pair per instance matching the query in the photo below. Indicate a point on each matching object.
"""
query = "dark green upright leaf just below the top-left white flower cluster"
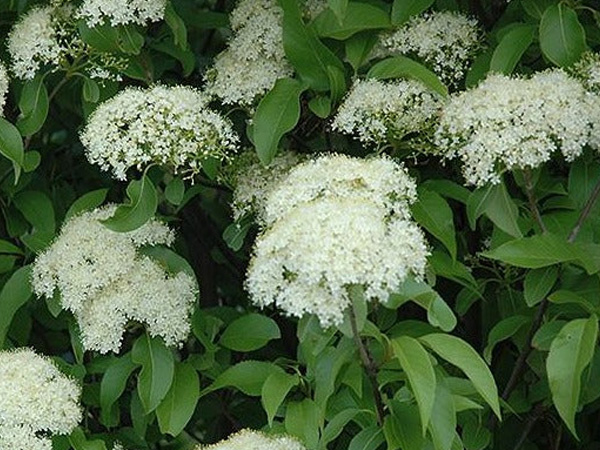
(33, 104)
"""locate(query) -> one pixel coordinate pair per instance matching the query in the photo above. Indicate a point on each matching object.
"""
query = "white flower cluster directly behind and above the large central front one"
(380, 180)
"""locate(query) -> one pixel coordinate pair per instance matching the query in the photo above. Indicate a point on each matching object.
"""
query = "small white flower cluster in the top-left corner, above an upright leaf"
(33, 42)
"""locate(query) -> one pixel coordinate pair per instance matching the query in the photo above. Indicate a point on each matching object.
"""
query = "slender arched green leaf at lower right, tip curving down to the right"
(462, 355)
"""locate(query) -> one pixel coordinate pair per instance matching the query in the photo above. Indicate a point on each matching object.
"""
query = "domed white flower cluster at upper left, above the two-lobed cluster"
(170, 126)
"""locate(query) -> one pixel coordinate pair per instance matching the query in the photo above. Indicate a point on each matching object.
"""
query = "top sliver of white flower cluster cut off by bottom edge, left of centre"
(255, 440)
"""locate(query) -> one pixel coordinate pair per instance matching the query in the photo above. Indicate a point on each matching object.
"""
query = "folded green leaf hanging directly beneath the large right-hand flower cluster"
(495, 202)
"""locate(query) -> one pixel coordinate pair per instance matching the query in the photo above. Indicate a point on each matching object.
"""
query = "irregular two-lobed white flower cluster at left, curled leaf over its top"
(105, 281)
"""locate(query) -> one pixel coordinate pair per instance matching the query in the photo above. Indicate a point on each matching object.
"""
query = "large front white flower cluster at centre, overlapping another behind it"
(307, 260)
